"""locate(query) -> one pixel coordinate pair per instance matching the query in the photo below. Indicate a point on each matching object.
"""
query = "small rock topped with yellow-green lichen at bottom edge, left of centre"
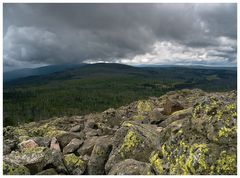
(75, 165)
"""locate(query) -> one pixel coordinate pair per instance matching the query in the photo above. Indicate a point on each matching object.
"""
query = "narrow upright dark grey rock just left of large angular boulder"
(99, 156)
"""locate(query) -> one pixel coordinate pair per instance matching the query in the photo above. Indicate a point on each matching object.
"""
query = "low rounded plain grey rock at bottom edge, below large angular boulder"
(131, 167)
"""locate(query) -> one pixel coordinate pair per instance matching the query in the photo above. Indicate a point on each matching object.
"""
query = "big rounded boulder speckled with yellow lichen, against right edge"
(216, 118)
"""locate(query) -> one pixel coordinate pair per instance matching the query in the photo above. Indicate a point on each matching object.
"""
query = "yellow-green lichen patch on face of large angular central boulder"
(130, 141)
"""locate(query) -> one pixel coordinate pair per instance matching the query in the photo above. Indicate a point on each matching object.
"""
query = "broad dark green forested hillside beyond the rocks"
(96, 87)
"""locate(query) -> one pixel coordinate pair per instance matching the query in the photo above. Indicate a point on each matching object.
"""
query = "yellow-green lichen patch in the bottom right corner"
(227, 164)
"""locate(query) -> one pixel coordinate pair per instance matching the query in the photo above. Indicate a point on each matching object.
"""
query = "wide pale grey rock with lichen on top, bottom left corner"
(36, 159)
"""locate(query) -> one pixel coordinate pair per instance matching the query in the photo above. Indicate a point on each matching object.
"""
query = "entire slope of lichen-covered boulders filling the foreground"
(182, 132)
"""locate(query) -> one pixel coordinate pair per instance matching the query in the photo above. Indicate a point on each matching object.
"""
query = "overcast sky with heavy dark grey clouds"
(135, 34)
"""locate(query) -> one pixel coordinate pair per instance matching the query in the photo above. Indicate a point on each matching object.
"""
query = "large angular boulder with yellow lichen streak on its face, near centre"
(129, 140)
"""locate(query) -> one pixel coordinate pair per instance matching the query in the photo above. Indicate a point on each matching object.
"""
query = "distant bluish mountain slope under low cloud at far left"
(26, 72)
